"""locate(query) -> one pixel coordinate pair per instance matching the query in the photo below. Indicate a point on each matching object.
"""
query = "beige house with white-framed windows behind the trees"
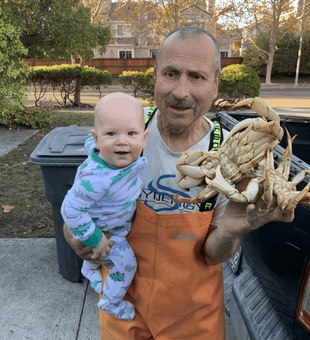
(127, 44)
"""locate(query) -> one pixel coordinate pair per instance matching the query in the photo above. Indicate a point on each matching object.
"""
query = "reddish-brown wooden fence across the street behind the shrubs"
(116, 66)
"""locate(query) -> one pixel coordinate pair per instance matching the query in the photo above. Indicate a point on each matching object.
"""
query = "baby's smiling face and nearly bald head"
(120, 136)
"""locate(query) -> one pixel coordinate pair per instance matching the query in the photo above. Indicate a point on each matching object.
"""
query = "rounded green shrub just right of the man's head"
(238, 82)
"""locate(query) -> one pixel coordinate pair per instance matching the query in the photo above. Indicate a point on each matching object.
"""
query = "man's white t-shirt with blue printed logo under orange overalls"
(158, 177)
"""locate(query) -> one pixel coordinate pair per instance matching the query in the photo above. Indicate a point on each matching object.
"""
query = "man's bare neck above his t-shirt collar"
(180, 140)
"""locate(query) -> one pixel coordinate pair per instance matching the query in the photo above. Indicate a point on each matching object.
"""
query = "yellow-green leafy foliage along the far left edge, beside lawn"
(13, 70)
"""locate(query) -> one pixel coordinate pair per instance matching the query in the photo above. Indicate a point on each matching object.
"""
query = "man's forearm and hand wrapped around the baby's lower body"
(81, 250)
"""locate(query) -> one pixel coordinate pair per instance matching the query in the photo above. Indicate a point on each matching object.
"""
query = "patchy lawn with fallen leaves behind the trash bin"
(22, 185)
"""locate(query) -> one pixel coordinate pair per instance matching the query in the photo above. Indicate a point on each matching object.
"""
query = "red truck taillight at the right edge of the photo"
(303, 307)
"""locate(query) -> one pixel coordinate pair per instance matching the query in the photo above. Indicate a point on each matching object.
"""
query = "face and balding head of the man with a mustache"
(185, 80)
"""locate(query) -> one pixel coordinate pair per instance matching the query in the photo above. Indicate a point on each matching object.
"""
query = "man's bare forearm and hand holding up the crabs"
(238, 219)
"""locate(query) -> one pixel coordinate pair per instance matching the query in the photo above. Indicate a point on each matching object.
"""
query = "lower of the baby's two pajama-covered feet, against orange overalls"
(123, 310)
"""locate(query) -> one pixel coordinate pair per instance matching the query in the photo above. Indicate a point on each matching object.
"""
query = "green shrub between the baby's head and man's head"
(141, 83)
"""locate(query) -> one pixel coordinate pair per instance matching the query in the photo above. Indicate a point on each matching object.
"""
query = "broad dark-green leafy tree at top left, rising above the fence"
(56, 28)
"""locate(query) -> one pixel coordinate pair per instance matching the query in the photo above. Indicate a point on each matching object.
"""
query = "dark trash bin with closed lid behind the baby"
(59, 154)
